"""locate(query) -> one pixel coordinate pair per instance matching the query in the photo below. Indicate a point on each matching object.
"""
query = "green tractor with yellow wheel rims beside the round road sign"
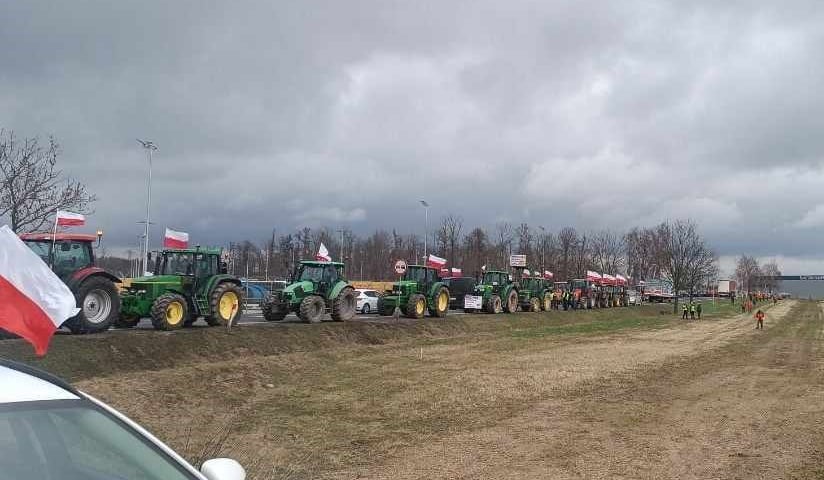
(419, 290)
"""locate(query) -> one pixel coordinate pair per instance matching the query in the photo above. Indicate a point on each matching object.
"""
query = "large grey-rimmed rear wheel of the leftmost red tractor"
(99, 306)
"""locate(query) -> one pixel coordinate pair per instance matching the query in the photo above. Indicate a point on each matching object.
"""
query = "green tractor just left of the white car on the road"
(317, 287)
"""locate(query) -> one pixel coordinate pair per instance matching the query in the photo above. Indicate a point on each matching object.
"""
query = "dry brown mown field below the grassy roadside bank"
(704, 399)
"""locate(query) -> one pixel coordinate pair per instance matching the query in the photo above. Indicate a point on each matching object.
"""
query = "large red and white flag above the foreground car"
(33, 301)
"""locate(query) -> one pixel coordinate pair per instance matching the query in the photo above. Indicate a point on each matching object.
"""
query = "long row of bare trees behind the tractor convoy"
(671, 250)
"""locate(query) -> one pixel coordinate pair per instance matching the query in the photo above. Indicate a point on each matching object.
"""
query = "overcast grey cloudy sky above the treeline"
(346, 113)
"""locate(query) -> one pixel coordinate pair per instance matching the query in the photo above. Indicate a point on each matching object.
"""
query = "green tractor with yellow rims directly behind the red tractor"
(187, 284)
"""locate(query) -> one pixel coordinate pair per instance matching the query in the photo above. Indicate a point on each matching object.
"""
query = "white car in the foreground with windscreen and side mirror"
(49, 430)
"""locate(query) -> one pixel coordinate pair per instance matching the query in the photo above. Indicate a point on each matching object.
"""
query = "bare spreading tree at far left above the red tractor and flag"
(31, 186)
